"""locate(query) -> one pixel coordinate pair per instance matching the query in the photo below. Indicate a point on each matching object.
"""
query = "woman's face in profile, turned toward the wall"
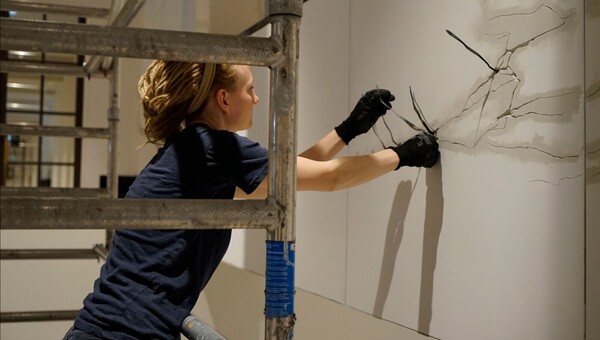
(242, 100)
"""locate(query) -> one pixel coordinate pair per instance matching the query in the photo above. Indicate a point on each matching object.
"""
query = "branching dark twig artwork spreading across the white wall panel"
(494, 108)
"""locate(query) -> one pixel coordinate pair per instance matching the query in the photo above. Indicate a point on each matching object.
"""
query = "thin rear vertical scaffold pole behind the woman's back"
(113, 142)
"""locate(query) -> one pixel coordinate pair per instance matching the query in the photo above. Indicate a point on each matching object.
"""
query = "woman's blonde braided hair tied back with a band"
(172, 91)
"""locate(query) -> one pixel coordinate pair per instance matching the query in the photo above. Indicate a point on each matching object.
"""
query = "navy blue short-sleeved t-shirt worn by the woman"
(152, 278)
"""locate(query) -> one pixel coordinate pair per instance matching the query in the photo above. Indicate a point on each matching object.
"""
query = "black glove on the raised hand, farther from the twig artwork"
(369, 108)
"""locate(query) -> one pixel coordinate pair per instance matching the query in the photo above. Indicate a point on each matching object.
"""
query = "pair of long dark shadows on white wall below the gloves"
(434, 212)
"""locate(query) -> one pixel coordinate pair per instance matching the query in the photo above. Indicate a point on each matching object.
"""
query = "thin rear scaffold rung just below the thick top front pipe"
(48, 68)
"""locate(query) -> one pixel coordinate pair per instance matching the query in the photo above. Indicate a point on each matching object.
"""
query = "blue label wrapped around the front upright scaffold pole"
(279, 292)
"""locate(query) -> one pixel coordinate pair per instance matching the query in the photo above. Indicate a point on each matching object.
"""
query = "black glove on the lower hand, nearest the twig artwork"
(420, 151)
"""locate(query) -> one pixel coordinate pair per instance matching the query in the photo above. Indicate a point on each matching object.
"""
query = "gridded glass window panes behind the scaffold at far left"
(41, 100)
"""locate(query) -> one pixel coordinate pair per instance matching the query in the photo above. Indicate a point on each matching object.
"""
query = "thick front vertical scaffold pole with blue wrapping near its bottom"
(279, 292)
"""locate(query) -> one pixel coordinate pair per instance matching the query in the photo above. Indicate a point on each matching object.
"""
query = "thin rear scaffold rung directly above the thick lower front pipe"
(53, 192)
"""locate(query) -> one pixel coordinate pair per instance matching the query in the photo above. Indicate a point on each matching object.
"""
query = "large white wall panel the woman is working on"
(490, 243)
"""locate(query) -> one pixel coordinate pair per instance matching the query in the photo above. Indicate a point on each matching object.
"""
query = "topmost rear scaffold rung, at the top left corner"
(54, 8)
